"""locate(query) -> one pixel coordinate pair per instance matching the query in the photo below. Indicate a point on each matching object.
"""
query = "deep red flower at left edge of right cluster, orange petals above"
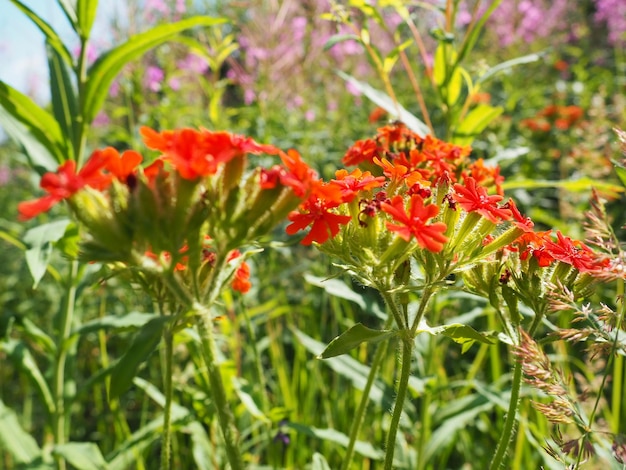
(316, 212)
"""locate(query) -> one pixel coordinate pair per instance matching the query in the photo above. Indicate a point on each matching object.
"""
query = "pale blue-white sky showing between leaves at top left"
(22, 52)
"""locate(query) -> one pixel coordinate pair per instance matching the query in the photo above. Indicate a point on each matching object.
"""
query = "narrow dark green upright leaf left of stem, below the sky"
(63, 96)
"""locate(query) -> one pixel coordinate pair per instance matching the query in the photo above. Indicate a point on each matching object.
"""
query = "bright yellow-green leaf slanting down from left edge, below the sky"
(37, 121)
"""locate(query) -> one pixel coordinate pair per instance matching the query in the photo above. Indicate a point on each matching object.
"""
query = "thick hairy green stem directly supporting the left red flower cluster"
(218, 393)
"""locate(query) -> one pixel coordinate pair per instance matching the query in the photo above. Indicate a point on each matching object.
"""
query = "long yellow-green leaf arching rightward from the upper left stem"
(102, 73)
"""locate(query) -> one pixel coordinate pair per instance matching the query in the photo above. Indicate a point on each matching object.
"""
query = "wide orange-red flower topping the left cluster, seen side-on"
(199, 153)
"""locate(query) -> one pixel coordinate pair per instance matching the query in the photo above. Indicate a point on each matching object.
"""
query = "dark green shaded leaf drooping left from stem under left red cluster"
(143, 345)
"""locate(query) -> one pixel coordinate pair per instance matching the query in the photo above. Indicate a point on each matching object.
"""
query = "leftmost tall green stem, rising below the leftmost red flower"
(65, 328)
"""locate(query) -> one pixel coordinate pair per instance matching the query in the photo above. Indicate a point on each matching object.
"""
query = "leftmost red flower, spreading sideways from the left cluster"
(65, 183)
